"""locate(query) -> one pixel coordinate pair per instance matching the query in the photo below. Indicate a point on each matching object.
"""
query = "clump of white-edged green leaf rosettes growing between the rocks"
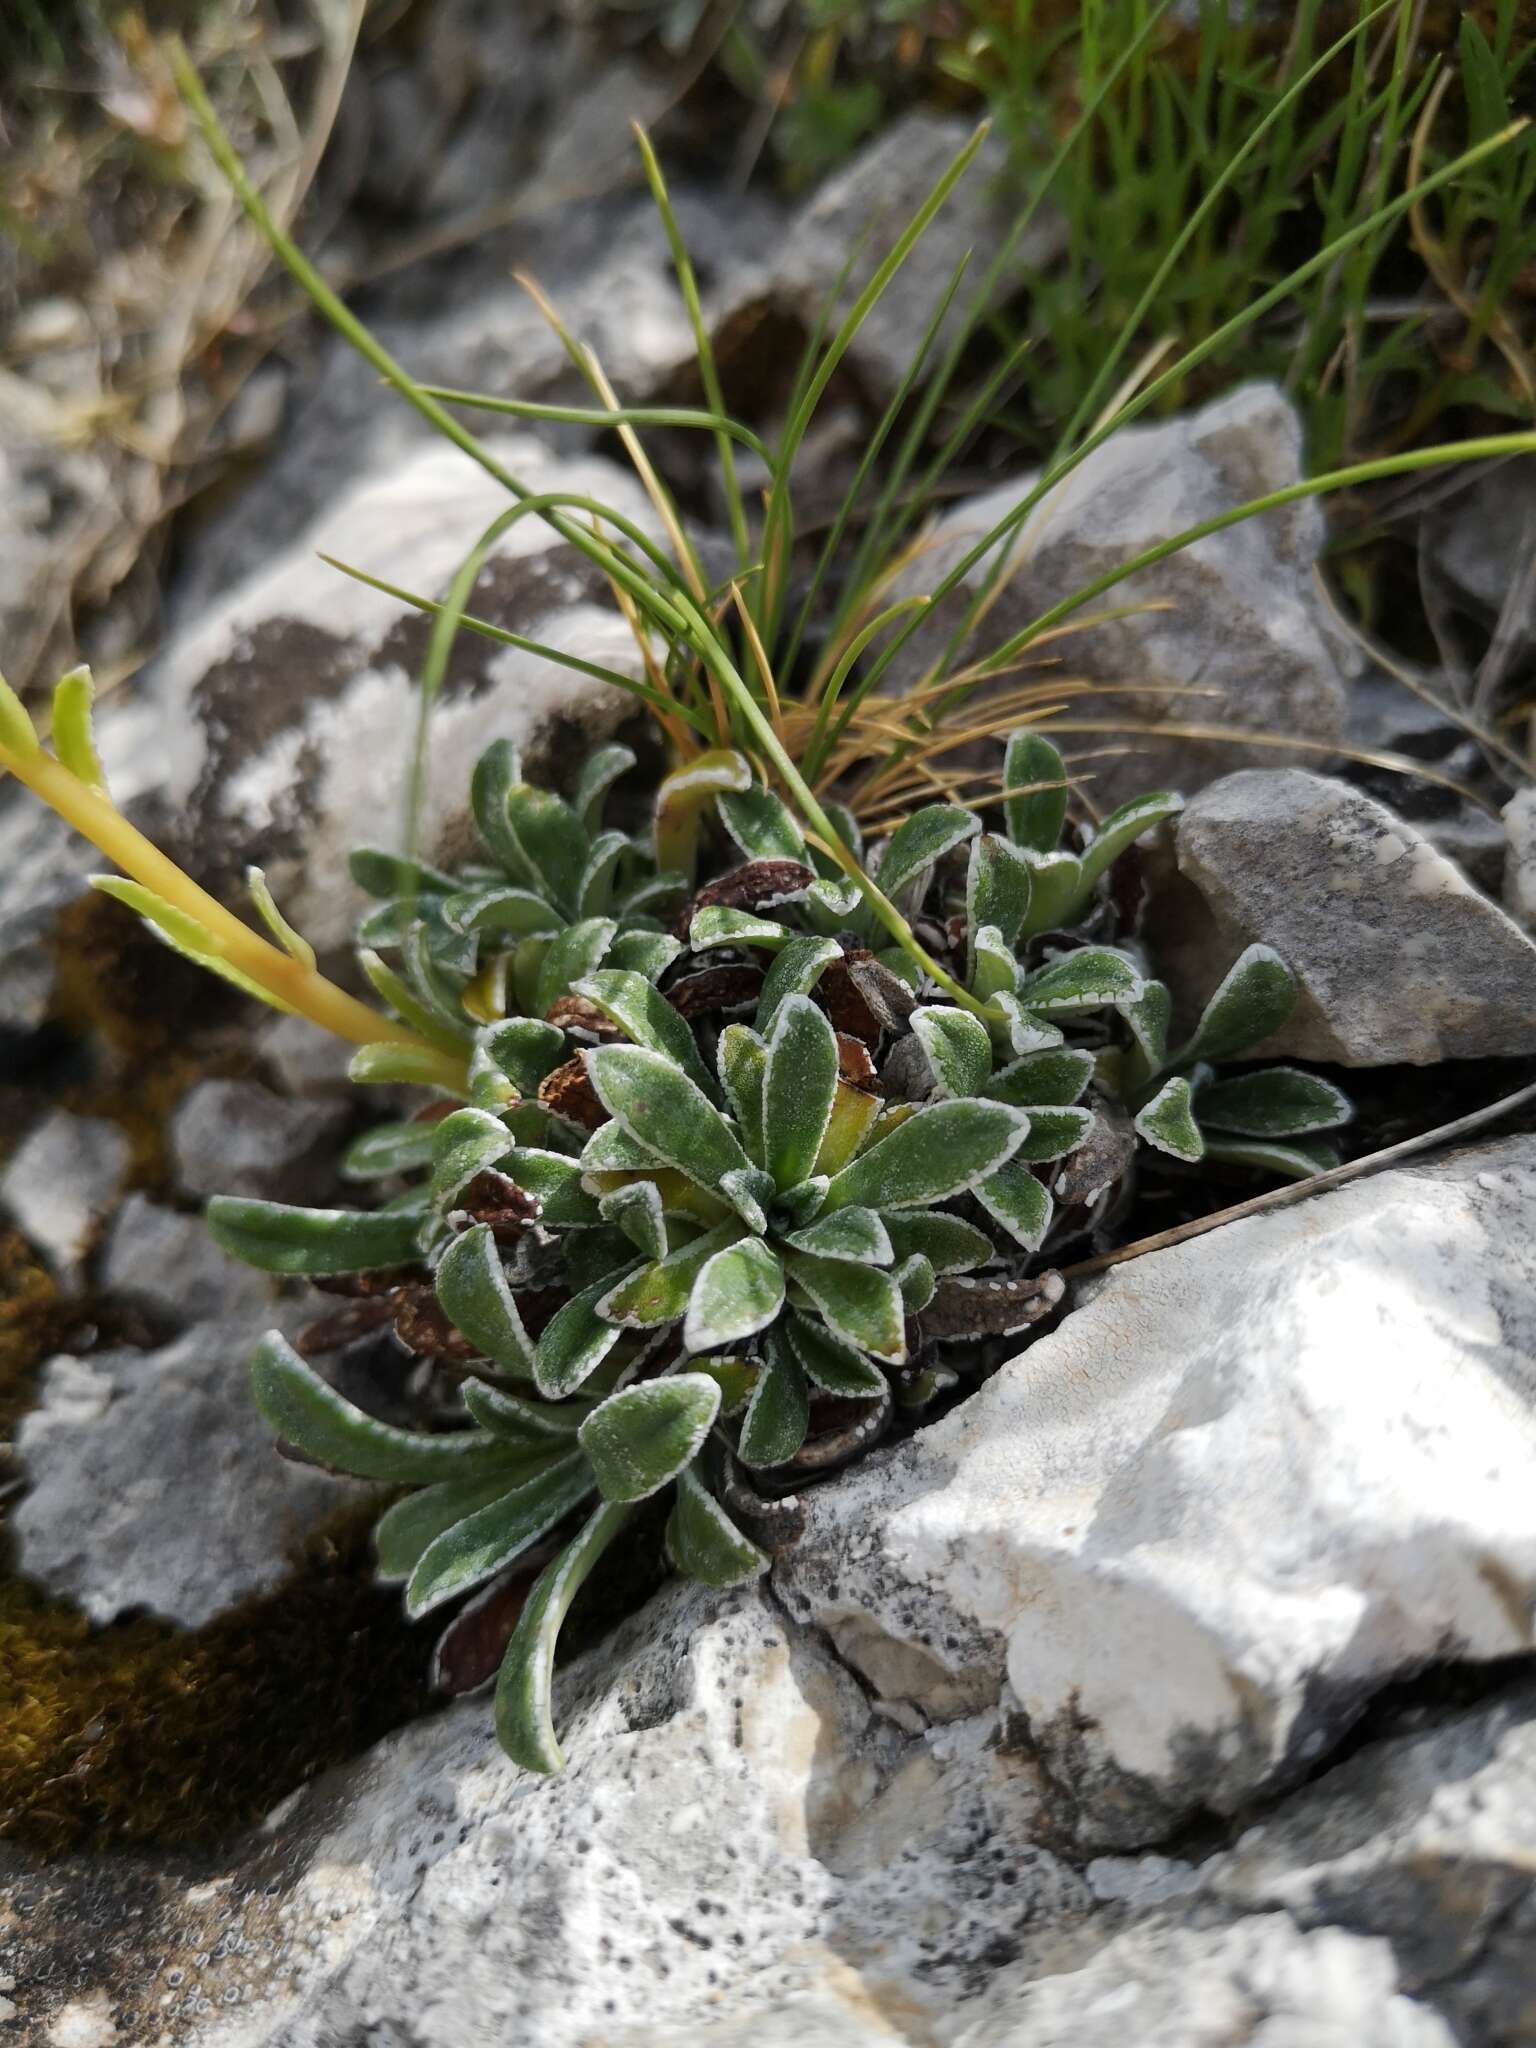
(773, 1209)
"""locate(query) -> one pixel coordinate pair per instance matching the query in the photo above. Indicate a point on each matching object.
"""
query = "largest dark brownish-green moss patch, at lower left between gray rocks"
(144, 1734)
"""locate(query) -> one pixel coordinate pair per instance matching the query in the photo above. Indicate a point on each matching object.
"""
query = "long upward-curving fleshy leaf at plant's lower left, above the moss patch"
(302, 1410)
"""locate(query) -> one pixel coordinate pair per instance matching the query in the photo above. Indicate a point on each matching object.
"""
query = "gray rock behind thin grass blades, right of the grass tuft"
(1240, 622)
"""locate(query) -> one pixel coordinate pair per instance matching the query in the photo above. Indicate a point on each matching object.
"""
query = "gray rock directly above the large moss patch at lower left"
(153, 1480)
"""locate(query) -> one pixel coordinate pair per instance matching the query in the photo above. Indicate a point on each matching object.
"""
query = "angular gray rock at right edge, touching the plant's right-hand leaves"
(1398, 955)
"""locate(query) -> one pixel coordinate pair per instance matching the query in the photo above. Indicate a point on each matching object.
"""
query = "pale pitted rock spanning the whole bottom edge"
(744, 1857)
